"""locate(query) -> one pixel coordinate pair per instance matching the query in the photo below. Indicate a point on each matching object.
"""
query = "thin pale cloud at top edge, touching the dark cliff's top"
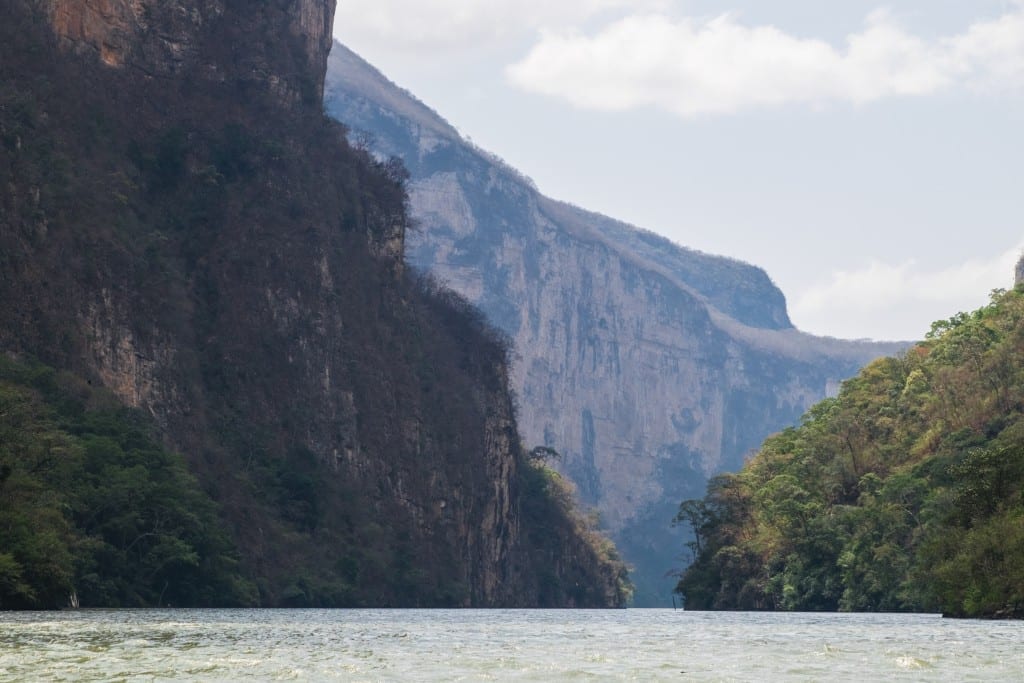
(428, 26)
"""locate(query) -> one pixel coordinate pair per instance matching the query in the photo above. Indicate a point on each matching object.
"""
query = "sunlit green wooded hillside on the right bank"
(905, 493)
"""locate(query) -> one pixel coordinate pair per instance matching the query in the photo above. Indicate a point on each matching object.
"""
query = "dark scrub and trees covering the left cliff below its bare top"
(218, 255)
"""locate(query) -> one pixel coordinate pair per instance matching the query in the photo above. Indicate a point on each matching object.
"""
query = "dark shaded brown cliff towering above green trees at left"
(183, 226)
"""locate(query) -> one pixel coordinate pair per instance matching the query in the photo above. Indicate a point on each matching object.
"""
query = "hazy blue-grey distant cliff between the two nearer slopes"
(648, 366)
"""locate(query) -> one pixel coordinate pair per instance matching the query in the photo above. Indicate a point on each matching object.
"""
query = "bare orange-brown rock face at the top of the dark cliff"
(167, 38)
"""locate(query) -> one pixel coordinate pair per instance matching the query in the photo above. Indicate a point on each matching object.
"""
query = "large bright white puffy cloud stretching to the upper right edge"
(694, 67)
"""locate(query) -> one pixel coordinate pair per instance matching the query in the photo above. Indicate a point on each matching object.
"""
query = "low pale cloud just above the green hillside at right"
(902, 302)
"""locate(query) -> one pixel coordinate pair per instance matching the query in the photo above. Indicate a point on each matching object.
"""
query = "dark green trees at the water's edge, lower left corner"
(92, 505)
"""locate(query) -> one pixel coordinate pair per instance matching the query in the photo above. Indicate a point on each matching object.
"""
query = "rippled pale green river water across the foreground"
(519, 646)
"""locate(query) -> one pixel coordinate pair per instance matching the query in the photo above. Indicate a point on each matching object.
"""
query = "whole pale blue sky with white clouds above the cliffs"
(869, 156)
